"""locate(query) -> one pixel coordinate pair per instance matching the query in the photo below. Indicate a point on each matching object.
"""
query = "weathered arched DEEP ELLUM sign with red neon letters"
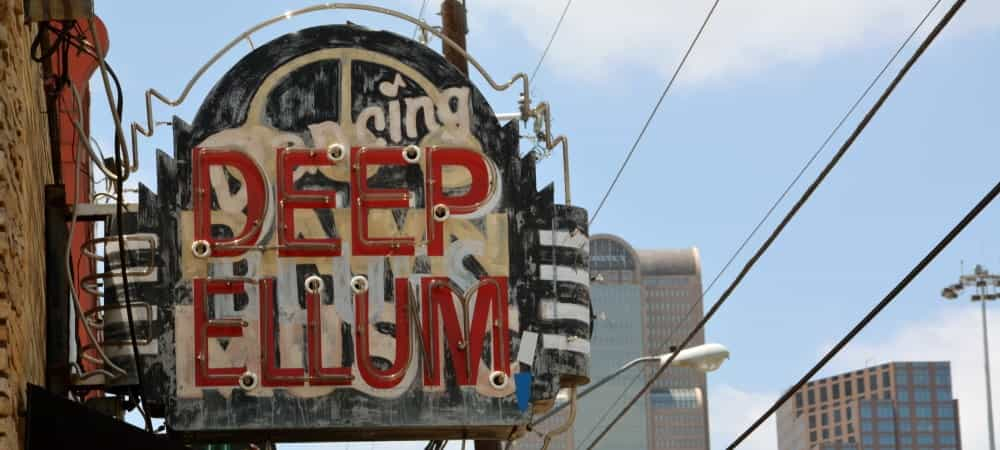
(350, 246)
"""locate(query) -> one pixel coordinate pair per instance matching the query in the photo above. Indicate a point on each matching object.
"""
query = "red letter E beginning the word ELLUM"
(206, 327)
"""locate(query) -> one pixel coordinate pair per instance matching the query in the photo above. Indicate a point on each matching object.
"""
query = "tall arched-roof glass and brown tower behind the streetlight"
(639, 298)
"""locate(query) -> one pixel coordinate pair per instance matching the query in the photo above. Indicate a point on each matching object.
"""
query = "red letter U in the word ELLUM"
(384, 379)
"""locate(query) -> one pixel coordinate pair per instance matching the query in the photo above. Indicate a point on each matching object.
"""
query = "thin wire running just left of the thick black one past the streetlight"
(695, 305)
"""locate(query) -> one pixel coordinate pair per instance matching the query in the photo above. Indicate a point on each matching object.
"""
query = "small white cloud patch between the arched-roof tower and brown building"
(731, 410)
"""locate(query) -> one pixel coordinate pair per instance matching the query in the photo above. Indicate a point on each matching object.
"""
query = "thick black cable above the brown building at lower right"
(983, 203)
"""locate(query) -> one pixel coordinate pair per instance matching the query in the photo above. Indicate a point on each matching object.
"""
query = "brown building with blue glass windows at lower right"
(898, 405)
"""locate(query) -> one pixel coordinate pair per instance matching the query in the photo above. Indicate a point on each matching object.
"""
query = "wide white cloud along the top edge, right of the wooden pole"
(745, 36)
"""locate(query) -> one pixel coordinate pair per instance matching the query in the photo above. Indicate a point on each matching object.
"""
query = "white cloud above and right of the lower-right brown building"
(956, 336)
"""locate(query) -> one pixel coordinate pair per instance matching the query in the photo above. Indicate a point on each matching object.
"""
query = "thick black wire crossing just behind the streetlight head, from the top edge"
(795, 209)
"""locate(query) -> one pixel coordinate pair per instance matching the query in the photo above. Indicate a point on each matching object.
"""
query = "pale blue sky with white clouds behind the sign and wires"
(761, 91)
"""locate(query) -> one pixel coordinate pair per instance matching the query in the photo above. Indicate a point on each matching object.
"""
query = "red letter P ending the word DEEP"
(465, 203)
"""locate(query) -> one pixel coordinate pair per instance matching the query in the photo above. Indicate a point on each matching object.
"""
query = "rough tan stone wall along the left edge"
(25, 169)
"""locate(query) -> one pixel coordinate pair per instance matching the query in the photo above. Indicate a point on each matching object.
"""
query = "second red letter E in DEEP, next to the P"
(364, 199)
